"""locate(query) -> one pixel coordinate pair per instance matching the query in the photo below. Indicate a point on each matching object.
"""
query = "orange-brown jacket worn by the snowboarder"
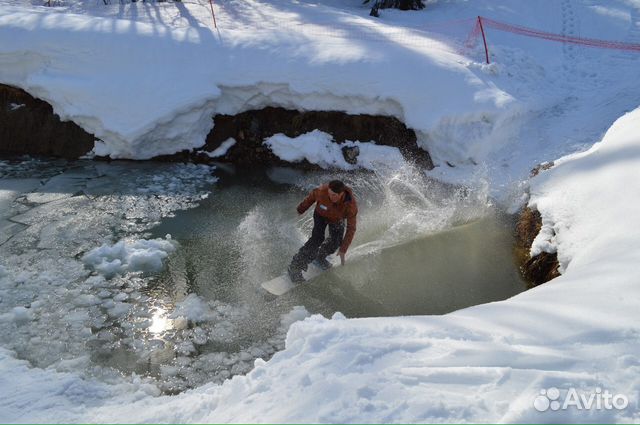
(334, 213)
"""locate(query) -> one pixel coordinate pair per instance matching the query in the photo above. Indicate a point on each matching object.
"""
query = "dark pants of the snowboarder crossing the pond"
(317, 246)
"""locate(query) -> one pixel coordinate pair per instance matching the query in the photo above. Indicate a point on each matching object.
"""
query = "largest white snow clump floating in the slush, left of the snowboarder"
(138, 256)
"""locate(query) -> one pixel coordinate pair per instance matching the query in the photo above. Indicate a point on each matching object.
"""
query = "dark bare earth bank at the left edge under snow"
(29, 126)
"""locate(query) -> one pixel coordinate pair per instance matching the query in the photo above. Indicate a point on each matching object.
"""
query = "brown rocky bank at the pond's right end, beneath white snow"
(544, 266)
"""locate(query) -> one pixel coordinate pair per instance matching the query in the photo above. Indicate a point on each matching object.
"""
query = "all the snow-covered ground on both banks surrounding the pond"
(147, 78)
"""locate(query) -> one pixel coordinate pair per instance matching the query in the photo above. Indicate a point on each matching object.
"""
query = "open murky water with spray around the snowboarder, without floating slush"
(420, 248)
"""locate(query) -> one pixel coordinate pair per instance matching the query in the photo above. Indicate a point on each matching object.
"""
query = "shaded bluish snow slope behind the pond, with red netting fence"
(146, 79)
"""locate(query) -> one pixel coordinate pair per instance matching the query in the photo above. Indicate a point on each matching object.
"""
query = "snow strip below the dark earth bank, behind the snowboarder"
(317, 148)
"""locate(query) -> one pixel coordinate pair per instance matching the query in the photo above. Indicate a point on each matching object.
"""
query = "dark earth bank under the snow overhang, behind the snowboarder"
(250, 128)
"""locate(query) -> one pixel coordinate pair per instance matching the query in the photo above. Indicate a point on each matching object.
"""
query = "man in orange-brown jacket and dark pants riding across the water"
(335, 202)
